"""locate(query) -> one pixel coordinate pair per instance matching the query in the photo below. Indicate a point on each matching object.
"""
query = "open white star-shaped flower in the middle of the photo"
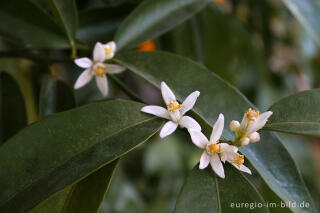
(174, 112)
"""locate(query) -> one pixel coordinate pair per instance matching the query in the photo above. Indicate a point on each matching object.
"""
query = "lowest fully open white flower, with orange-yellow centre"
(211, 147)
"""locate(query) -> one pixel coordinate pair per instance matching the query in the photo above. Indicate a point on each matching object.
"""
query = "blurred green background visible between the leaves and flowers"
(258, 46)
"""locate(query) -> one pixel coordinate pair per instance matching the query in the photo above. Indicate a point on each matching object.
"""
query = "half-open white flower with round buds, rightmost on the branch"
(252, 121)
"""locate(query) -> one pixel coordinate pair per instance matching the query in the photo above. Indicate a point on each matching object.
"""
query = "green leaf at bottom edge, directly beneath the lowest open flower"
(203, 191)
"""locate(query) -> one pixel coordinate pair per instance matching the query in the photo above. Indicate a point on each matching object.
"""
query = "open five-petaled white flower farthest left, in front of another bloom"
(96, 68)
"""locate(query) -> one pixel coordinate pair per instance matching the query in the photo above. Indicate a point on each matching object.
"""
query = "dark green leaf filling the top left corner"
(29, 25)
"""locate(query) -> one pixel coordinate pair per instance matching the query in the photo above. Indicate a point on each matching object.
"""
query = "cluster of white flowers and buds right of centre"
(214, 151)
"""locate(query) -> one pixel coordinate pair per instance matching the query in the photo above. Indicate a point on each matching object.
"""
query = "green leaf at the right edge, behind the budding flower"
(297, 114)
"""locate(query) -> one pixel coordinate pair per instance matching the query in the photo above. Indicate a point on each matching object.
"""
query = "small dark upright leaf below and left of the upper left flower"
(55, 96)
